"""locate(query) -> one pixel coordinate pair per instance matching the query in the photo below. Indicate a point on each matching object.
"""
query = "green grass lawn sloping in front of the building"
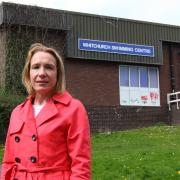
(149, 153)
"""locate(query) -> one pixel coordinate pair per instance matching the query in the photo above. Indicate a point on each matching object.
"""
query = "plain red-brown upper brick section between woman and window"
(93, 82)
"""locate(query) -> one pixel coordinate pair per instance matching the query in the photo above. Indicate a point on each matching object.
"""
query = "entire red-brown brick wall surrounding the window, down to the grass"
(96, 84)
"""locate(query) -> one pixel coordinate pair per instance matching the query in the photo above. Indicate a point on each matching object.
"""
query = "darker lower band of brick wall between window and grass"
(115, 118)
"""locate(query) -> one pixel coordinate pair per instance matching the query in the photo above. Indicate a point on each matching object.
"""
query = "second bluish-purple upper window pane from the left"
(134, 77)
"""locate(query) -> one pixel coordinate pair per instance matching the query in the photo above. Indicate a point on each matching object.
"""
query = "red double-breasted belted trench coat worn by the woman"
(53, 146)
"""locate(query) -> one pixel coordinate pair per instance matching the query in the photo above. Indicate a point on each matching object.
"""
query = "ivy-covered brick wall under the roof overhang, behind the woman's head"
(19, 39)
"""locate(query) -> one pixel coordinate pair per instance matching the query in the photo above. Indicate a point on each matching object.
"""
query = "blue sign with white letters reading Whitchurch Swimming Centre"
(114, 47)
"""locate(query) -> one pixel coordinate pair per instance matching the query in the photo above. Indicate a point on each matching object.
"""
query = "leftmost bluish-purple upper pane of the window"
(124, 76)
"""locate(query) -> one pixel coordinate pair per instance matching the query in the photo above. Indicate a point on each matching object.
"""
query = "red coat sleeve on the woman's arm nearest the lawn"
(78, 141)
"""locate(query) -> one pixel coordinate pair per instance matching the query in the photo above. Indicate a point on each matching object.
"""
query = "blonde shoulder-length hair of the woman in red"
(37, 47)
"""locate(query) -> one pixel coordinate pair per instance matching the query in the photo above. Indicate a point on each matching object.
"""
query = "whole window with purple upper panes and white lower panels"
(139, 85)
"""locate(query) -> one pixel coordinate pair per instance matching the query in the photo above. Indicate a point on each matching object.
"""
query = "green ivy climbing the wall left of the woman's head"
(17, 46)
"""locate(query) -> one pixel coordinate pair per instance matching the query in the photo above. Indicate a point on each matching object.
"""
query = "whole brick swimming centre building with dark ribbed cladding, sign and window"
(120, 69)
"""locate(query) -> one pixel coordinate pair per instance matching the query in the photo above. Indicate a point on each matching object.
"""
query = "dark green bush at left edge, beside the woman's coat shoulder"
(7, 104)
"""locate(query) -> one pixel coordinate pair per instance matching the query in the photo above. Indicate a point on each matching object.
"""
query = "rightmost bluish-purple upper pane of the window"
(153, 77)
